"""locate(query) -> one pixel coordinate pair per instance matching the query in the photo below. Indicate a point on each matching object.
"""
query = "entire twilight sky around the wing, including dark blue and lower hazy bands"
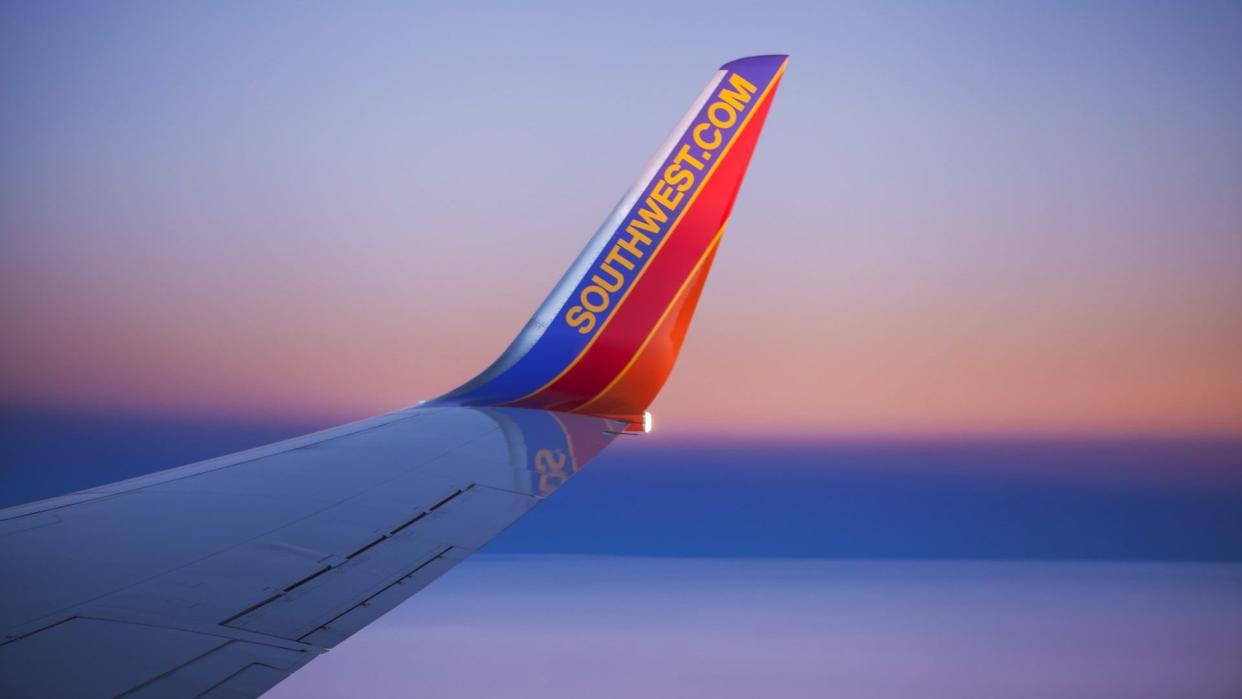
(979, 309)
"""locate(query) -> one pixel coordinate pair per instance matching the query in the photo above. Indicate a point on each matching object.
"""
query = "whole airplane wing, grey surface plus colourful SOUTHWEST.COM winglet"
(222, 578)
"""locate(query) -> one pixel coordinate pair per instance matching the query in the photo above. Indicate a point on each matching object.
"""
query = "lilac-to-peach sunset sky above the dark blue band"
(971, 219)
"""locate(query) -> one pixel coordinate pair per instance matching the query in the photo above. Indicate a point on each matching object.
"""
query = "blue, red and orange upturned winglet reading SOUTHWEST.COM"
(607, 338)
